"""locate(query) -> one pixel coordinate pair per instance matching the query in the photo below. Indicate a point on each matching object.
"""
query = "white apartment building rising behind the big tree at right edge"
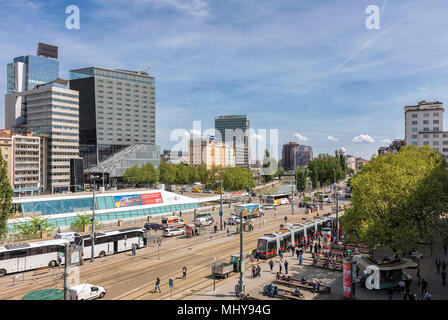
(424, 126)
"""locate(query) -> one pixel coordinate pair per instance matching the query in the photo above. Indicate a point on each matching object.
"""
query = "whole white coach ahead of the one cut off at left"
(114, 241)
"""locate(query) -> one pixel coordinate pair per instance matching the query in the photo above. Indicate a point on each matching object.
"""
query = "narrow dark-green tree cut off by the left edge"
(6, 194)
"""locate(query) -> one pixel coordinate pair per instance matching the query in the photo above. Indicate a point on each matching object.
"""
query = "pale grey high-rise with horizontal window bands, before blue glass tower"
(51, 112)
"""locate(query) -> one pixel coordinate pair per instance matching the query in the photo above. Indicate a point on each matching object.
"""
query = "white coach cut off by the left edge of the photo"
(33, 255)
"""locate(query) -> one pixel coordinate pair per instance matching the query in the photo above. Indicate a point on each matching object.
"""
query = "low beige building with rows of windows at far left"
(22, 153)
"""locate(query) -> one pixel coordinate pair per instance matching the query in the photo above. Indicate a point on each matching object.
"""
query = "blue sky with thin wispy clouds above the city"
(310, 69)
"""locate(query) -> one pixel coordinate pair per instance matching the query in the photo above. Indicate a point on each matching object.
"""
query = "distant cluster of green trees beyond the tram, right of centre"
(322, 171)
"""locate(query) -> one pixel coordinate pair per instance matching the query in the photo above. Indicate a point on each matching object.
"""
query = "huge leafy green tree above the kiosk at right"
(399, 200)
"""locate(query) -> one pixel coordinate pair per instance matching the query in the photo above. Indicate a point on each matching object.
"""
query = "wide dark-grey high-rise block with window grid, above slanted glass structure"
(117, 109)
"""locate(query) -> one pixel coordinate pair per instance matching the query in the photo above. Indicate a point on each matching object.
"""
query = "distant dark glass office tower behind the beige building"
(234, 130)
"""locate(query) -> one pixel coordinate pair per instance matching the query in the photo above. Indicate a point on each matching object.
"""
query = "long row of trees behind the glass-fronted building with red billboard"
(234, 178)
